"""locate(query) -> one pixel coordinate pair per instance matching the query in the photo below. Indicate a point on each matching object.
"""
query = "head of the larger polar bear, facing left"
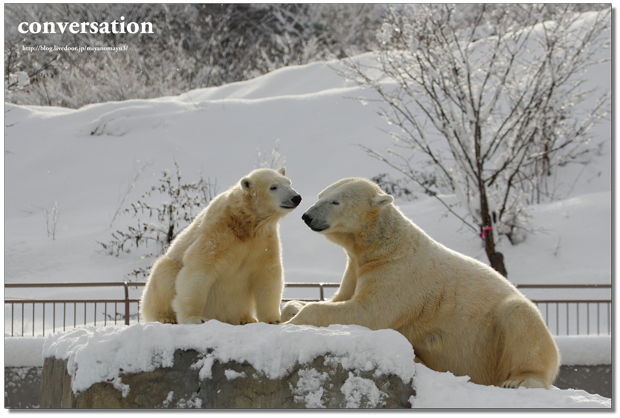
(346, 206)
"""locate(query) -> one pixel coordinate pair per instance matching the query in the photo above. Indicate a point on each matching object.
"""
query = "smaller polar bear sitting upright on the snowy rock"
(227, 263)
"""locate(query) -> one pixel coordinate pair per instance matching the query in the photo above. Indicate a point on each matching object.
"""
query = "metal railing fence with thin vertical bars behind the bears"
(38, 316)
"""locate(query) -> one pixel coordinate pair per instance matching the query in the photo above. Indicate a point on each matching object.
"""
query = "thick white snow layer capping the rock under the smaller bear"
(273, 350)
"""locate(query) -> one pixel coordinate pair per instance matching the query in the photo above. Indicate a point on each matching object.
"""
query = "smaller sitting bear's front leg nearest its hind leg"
(192, 287)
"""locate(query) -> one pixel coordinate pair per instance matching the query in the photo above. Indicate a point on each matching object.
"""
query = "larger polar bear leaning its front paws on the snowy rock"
(459, 314)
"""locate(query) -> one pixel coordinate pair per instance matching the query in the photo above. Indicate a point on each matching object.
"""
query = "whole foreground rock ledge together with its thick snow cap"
(220, 365)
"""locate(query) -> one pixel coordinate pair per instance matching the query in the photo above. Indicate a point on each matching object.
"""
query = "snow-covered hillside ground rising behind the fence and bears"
(85, 159)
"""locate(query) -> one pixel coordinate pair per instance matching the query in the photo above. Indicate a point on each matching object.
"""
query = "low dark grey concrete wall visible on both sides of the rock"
(23, 384)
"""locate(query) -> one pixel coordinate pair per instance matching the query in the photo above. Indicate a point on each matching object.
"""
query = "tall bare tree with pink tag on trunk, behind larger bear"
(501, 97)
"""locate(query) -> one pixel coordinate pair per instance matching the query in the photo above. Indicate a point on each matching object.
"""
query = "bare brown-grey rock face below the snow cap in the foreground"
(319, 384)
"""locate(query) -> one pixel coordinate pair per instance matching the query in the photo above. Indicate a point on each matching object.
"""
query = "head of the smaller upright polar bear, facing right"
(271, 190)
